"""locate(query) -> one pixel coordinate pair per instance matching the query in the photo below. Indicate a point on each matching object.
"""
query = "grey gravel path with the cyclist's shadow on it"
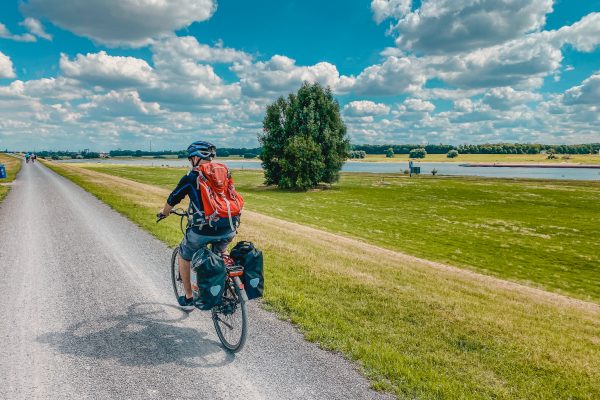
(87, 312)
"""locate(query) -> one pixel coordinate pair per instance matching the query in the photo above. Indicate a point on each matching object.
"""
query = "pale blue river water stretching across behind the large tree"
(395, 167)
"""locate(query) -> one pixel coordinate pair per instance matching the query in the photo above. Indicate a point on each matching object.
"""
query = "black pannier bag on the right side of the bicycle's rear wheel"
(248, 256)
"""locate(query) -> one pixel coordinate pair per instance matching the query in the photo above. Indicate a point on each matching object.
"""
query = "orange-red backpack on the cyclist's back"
(219, 197)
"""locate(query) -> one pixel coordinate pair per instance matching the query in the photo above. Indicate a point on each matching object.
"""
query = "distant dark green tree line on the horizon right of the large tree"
(496, 148)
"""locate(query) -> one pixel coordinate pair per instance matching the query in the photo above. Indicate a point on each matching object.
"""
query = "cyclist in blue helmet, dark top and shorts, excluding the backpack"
(199, 233)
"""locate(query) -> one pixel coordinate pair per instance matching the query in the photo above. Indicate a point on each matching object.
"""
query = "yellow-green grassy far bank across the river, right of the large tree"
(491, 158)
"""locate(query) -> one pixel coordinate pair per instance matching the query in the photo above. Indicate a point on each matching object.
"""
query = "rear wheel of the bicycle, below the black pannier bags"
(230, 319)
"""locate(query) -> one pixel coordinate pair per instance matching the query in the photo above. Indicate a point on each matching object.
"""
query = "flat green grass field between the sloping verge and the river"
(542, 233)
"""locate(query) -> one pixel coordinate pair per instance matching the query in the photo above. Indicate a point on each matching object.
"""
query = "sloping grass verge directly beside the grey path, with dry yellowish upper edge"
(417, 330)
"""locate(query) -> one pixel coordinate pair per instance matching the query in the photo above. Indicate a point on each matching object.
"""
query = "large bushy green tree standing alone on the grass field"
(304, 139)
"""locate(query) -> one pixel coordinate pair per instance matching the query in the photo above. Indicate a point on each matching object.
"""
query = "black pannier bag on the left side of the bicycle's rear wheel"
(211, 273)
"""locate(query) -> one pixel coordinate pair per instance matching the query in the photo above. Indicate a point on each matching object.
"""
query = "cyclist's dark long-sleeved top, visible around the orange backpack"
(188, 186)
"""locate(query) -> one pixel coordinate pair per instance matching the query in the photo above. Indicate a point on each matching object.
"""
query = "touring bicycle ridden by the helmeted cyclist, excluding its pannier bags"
(230, 316)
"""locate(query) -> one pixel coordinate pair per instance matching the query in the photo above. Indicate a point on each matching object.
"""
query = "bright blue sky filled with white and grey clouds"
(106, 74)
